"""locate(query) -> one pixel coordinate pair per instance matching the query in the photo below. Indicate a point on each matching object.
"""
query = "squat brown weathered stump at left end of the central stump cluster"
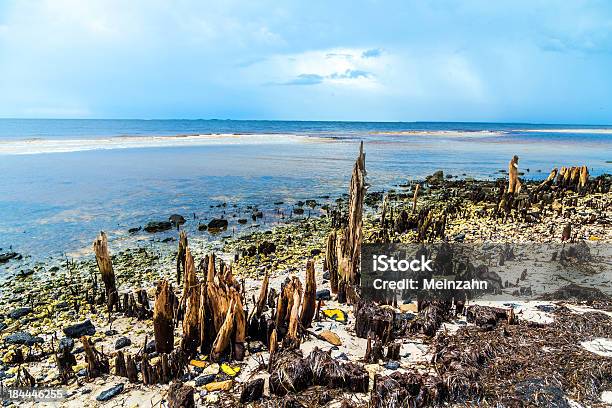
(163, 318)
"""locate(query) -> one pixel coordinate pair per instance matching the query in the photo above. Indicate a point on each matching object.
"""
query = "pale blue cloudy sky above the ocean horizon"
(488, 61)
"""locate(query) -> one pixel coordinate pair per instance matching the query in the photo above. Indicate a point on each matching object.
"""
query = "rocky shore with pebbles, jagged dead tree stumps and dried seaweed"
(265, 317)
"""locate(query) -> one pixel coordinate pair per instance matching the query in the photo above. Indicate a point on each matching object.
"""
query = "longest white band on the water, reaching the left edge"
(42, 146)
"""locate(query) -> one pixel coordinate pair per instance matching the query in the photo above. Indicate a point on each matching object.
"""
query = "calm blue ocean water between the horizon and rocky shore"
(62, 181)
